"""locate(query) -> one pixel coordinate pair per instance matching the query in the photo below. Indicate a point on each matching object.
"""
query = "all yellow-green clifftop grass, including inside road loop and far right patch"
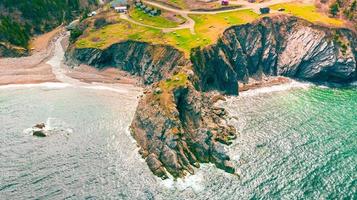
(207, 27)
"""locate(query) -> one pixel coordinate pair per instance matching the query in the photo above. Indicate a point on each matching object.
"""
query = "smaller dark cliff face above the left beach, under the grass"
(150, 62)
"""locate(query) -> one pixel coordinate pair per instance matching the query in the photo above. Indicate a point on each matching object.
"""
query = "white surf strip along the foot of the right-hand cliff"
(276, 88)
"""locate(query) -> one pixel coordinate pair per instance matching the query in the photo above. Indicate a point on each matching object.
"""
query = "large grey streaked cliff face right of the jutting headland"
(284, 46)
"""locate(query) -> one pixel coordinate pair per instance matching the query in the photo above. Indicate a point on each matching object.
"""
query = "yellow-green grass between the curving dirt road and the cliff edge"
(208, 28)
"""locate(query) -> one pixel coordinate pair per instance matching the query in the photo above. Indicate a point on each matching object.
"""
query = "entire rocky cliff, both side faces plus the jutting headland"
(176, 124)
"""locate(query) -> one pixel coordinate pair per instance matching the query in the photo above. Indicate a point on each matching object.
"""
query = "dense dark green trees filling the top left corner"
(20, 19)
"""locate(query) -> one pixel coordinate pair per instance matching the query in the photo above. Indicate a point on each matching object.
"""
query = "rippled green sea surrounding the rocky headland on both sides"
(293, 144)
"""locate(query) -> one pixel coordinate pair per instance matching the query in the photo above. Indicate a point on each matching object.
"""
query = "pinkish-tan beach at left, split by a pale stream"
(35, 69)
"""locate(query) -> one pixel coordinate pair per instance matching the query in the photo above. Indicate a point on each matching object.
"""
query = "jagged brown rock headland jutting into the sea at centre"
(177, 127)
